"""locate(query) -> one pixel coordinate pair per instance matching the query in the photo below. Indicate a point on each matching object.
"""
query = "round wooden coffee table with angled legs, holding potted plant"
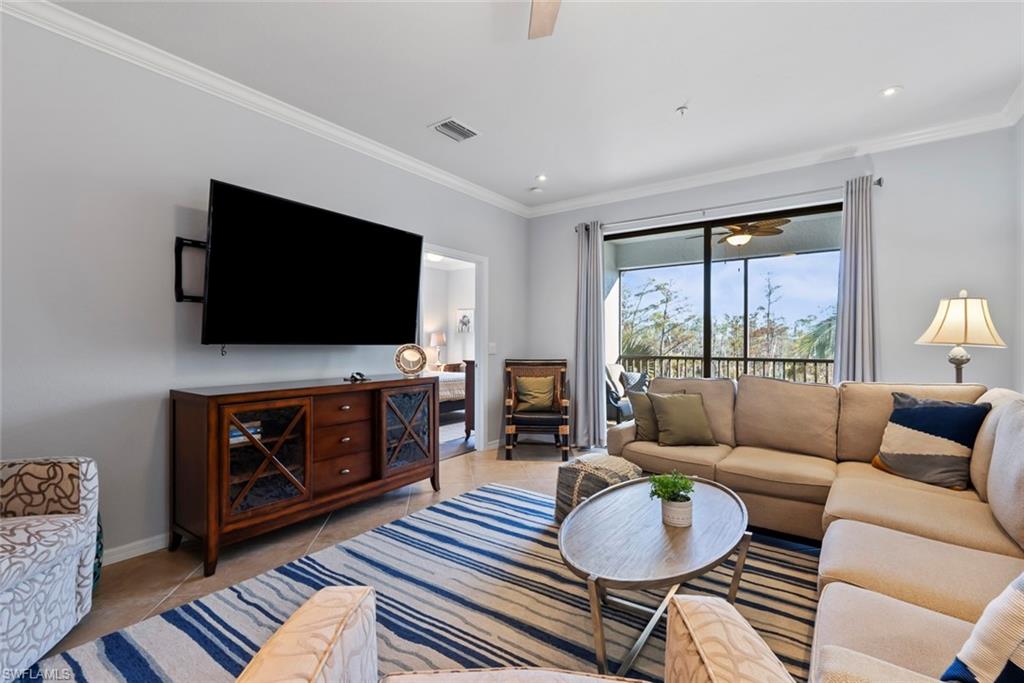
(616, 539)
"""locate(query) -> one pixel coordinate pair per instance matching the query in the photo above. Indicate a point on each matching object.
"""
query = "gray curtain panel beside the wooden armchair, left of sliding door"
(587, 410)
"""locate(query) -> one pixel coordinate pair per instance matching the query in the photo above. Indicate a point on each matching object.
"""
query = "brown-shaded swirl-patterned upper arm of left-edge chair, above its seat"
(50, 487)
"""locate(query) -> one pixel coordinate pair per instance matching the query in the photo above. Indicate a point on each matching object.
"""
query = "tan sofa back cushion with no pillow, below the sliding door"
(787, 416)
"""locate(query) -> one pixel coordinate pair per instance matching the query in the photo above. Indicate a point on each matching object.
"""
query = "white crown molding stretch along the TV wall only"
(63, 22)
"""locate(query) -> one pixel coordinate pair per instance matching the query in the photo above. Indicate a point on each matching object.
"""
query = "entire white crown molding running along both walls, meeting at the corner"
(63, 22)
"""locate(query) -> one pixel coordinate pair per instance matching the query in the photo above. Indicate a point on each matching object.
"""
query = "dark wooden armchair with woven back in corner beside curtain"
(554, 421)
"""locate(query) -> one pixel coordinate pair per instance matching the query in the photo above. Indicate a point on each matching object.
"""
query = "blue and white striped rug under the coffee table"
(476, 581)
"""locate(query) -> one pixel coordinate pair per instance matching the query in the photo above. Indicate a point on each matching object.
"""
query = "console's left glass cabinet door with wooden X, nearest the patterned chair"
(267, 457)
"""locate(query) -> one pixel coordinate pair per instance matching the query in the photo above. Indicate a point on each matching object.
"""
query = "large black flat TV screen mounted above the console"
(283, 273)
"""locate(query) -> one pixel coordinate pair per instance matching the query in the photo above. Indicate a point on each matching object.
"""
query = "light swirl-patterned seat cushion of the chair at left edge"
(31, 544)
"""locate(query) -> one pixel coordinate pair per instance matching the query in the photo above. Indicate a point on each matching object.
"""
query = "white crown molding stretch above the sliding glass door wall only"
(1009, 116)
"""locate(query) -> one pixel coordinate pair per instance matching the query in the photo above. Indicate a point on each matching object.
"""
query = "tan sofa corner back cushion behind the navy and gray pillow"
(865, 411)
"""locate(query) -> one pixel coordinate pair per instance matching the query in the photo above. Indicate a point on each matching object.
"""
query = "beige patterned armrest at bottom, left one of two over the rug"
(331, 638)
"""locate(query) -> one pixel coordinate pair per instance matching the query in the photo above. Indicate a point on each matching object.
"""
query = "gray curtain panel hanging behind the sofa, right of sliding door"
(857, 358)
